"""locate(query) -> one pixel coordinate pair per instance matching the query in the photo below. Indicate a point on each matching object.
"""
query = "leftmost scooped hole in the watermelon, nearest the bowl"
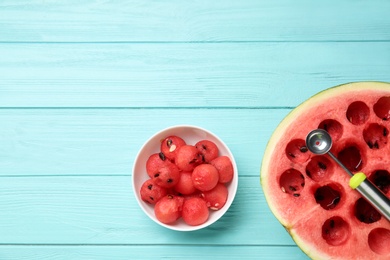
(292, 182)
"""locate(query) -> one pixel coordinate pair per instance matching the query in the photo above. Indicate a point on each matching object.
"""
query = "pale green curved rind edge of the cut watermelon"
(279, 131)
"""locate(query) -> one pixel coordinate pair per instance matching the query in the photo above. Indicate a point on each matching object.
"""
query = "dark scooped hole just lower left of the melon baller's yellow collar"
(329, 196)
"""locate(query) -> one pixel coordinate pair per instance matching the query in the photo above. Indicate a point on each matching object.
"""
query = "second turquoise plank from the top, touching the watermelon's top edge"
(182, 75)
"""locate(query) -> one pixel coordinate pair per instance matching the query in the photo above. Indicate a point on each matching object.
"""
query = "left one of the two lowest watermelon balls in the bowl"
(168, 209)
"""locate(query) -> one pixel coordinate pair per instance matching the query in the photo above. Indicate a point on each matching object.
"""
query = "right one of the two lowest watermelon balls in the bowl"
(195, 211)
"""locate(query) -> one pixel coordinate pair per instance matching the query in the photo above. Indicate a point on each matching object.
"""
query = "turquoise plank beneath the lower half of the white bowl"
(87, 210)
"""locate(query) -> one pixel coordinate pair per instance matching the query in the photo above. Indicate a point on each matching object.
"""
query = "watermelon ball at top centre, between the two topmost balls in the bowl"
(187, 158)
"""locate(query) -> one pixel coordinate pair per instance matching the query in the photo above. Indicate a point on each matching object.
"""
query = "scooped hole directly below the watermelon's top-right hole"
(375, 136)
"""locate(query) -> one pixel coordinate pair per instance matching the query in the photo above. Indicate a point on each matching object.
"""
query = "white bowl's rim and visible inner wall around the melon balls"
(232, 186)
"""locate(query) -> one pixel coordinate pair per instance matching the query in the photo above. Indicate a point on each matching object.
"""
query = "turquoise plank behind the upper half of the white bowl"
(106, 141)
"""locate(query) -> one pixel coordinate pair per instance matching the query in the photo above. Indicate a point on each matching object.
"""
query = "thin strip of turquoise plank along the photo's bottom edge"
(150, 252)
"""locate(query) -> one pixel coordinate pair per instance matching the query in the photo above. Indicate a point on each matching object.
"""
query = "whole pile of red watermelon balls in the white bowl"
(186, 181)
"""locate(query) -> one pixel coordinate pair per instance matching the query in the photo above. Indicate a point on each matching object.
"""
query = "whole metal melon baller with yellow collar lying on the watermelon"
(319, 142)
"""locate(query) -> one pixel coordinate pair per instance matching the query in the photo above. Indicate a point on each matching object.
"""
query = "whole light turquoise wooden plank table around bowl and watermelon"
(83, 84)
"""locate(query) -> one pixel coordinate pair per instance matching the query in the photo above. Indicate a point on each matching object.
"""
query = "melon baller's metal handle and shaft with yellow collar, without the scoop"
(368, 190)
